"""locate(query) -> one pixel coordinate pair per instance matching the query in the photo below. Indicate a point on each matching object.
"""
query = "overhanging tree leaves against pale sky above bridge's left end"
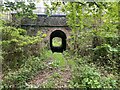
(21, 11)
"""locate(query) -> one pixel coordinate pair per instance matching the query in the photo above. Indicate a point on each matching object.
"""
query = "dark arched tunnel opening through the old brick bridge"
(59, 34)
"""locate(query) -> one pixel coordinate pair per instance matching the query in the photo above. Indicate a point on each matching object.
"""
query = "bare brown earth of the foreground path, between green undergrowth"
(43, 76)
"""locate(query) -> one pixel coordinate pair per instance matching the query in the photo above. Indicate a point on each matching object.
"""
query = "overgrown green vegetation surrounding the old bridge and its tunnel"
(92, 58)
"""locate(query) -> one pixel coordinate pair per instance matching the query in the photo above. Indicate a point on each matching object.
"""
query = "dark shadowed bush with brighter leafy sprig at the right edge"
(107, 54)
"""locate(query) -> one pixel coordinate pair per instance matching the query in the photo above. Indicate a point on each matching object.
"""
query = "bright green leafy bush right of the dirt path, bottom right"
(88, 77)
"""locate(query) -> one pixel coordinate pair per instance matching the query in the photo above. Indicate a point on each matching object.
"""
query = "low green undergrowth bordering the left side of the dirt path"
(19, 78)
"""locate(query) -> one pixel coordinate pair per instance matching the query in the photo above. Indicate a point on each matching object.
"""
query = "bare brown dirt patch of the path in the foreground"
(44, 75)
